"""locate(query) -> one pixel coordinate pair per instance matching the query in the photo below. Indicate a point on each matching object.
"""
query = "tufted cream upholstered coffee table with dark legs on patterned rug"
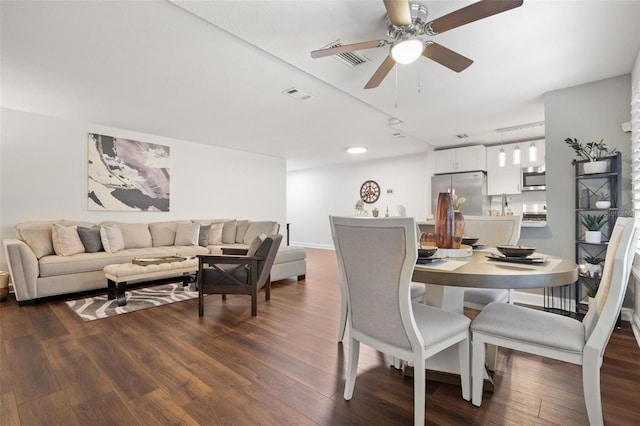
(143, 270)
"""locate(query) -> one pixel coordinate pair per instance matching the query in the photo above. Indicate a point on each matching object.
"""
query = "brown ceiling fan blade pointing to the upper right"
(471, 13)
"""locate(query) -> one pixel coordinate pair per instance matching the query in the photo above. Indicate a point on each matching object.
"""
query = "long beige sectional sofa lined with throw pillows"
(59, 257)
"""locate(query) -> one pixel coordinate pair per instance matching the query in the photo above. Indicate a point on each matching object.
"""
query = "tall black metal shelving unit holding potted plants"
(589, 187)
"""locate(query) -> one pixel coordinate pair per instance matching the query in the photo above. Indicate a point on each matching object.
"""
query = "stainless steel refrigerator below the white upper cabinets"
(470, 185)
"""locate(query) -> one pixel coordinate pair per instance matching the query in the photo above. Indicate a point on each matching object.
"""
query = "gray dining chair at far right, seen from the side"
(560, 337)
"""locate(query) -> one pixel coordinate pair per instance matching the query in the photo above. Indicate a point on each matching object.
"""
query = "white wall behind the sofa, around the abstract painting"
(43, 176)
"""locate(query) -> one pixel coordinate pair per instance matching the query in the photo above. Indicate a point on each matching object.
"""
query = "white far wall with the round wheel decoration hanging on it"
(314, 194)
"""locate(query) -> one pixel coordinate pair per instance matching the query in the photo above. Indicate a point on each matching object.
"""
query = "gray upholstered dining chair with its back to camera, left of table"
(376, 260)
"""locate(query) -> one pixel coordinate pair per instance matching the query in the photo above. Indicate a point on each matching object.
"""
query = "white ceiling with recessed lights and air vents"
(214, 72)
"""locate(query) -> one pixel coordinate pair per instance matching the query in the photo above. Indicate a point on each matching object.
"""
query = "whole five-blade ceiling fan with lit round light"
(407, 24)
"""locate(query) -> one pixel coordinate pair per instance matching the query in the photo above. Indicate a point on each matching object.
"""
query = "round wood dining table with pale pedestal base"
(447, 279)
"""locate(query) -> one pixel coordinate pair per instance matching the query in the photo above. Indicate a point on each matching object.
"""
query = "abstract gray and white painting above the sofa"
(127, 175)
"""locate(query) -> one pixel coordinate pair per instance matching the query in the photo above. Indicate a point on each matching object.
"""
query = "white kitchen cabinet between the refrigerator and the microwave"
(502, 180)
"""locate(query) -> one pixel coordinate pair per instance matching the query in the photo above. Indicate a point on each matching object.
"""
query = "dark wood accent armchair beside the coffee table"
(234, 274)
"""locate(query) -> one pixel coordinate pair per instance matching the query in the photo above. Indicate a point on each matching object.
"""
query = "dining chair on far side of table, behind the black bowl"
(493, 231)
